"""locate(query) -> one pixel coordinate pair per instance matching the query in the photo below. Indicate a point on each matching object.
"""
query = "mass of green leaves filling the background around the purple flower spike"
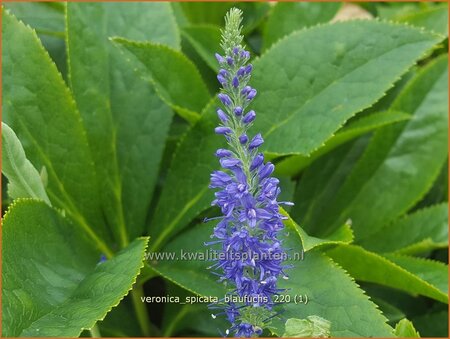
(108, 139)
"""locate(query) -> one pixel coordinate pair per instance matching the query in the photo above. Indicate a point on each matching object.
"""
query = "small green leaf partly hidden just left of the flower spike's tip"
(206, 41)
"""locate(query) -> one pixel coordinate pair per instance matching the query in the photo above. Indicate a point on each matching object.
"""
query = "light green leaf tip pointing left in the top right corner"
(433, 18)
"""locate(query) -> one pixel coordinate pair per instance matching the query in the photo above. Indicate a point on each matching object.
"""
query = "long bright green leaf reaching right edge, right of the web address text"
(371, 267)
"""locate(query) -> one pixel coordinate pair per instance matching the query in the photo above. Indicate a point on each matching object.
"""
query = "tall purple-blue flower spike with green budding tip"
(250, 259)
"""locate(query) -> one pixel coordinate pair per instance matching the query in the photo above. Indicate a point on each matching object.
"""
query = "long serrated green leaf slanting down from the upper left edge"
(49, 127)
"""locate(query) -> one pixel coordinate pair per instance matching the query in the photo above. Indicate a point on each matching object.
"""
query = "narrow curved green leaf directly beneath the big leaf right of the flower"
(294, 164)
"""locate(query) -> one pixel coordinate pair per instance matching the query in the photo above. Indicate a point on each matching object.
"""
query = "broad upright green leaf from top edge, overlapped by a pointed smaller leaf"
(123, 115)
